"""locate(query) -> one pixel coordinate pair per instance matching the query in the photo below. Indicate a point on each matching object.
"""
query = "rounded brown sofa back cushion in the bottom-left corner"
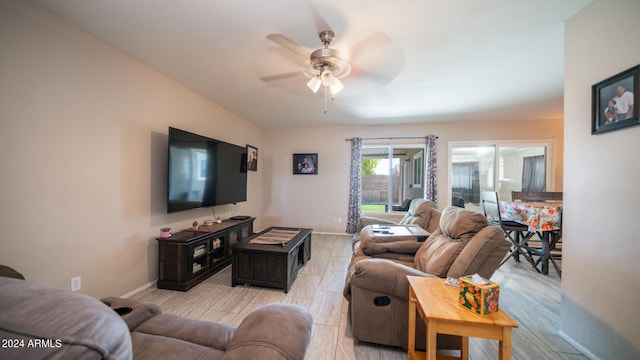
(59, 324)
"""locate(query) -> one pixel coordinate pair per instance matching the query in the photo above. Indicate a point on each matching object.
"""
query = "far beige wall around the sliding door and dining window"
(315, 200)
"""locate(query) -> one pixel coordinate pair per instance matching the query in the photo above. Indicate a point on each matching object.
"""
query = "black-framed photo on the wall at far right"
(613, 102)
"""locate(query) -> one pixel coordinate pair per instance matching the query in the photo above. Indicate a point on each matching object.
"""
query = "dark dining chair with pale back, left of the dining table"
(516, 232)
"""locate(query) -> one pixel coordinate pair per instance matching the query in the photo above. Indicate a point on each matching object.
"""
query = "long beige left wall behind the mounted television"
(83, 152)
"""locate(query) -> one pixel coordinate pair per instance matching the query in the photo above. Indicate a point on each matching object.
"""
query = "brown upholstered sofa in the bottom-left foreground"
(41, 322)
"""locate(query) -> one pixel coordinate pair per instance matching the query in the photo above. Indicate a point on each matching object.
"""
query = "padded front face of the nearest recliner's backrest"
(441, 249)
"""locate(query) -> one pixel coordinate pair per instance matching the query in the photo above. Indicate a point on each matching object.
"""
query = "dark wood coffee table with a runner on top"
(270, 265)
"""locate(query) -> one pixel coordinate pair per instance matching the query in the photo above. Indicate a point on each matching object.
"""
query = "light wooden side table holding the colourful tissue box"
(437, 305)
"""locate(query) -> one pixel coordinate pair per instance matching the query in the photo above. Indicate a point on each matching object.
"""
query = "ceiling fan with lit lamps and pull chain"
(324, 67)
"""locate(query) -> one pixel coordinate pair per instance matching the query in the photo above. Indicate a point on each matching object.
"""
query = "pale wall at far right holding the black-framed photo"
(600, 287)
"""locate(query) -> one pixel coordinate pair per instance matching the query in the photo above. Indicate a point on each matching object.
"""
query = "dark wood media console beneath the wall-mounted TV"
(191, 256)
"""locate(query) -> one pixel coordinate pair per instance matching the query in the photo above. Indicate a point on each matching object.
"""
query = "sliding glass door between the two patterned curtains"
(391, 174)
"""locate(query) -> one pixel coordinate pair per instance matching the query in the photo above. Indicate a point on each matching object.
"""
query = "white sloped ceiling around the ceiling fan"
(422, 60)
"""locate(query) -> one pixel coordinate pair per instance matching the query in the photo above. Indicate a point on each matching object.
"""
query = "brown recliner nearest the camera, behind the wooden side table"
(377, 289)
